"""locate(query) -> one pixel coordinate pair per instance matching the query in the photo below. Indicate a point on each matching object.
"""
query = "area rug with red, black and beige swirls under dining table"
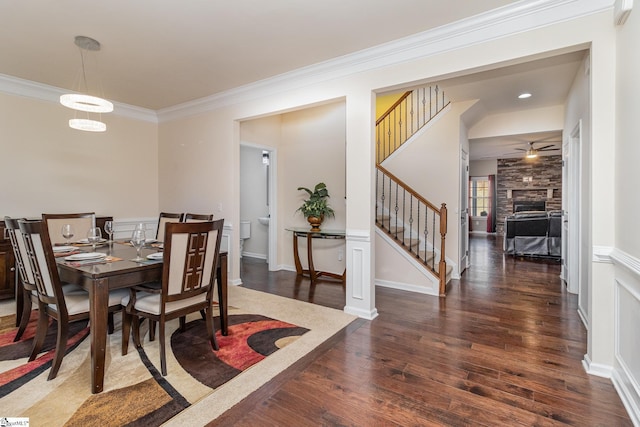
(266, 335)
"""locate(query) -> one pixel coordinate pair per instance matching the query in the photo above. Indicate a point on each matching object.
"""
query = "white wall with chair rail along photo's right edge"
(626, 255)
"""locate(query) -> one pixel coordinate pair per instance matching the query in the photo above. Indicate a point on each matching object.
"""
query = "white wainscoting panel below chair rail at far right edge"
(626, 369)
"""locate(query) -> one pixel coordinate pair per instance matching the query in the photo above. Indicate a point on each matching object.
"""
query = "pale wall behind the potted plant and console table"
(312, 150)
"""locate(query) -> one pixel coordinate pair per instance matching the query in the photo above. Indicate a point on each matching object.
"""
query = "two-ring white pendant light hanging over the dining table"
(84, 102)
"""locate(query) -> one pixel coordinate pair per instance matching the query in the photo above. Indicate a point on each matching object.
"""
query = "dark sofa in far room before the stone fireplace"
(533, 234)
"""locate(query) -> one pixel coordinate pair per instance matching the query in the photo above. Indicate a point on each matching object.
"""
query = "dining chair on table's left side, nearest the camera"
(66, 303)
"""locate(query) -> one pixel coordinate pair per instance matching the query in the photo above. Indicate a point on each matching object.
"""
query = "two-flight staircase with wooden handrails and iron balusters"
(407, 218)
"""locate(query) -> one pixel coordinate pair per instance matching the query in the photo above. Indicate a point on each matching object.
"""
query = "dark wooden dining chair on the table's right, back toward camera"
(190, 256)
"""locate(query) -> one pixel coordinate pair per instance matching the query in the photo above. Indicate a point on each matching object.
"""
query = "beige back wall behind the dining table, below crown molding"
(48, 167)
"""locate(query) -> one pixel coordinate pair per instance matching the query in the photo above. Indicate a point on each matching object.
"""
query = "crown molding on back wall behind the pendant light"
(29, 89)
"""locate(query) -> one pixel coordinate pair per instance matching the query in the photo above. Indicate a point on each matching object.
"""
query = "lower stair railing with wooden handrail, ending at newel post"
(416, 224)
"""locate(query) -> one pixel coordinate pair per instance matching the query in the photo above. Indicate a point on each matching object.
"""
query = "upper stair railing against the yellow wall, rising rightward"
(405, 117)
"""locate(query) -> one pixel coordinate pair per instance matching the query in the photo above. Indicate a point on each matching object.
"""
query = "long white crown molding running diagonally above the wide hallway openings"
(501, 22)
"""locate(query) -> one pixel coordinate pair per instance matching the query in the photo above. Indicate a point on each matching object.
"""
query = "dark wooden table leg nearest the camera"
(99, 302)
